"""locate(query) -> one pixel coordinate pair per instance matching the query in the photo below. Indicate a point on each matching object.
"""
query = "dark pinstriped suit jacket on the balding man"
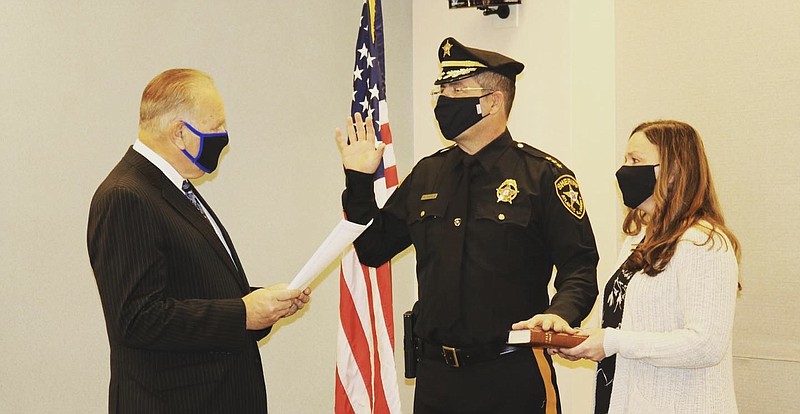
(171, 296)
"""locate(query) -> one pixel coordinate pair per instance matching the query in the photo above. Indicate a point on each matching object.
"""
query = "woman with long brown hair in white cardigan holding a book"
(665, 345)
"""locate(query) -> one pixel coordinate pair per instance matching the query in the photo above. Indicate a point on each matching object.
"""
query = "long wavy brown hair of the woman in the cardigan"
(684, 197)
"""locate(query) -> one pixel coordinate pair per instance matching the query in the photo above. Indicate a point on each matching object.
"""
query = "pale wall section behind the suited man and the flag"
(72, 77)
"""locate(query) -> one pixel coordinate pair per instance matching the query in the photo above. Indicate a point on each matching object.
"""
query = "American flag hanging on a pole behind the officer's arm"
(366, 378)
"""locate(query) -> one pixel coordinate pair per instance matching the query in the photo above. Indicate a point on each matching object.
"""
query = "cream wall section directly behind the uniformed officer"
(564, 106)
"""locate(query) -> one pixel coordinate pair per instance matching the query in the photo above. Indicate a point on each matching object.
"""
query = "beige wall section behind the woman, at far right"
(732, 70)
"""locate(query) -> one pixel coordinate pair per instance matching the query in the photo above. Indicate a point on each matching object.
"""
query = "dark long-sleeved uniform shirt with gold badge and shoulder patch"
(487, 230)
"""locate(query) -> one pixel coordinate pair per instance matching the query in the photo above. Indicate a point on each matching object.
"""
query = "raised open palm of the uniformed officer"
(358, 149)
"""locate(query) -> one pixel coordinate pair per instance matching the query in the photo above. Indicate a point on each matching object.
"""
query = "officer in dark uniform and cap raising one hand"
(489, 218)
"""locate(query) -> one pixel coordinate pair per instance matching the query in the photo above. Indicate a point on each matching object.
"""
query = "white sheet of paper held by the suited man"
(340, 237)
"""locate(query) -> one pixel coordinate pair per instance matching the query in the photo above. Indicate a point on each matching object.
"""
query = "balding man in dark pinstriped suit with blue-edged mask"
(182, 321)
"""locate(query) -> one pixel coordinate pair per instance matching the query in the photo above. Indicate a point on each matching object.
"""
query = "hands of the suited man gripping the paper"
(265, 306)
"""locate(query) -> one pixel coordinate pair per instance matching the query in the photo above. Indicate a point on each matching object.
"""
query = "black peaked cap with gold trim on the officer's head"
(460, 62)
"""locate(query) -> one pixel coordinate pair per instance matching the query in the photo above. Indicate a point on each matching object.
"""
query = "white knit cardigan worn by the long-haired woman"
(674, 344)
